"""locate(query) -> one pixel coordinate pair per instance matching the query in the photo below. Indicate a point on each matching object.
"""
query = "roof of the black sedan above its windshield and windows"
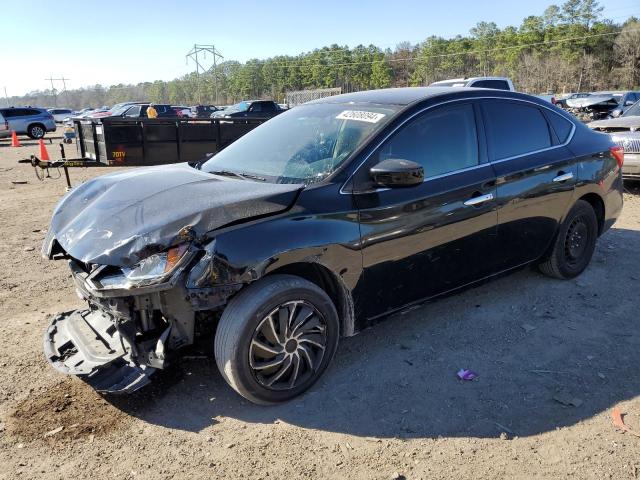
(408, 95)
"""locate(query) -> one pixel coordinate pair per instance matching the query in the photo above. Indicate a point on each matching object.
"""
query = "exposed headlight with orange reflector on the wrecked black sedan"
(152, 270)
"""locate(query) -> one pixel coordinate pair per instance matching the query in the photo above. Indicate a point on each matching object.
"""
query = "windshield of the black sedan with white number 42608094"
(303, 145)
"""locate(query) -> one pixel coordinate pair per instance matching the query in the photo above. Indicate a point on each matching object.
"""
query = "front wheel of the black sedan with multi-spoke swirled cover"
(240, 338)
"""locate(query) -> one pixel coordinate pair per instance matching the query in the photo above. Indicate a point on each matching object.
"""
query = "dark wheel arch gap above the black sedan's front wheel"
(331, 283)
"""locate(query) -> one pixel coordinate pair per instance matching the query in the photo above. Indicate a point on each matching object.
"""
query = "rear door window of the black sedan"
(514, 128)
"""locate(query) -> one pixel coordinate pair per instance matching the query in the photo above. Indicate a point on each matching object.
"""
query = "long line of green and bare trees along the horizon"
(568, 48)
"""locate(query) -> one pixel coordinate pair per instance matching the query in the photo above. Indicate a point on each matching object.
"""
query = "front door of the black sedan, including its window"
(424, 240)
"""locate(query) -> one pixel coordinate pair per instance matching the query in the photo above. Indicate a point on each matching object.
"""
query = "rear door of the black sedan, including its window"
(535, 175)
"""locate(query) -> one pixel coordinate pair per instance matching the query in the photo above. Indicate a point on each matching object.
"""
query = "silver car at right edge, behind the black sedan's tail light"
(625, 132)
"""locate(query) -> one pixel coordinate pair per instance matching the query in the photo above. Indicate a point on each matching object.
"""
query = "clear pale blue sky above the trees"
(116, 41)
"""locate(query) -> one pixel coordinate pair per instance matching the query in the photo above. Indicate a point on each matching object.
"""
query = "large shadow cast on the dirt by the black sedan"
(548, 354)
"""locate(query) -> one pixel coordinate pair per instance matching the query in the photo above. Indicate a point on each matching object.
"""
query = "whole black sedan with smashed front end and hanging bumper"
(318, 223)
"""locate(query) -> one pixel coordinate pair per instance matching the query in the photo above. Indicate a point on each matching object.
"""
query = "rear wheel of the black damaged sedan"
(574, 245)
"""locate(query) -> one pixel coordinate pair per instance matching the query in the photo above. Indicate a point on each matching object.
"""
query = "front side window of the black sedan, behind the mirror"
(441, 140)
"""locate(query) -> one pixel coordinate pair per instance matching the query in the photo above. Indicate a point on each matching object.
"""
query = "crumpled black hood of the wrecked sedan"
(120, 218)
